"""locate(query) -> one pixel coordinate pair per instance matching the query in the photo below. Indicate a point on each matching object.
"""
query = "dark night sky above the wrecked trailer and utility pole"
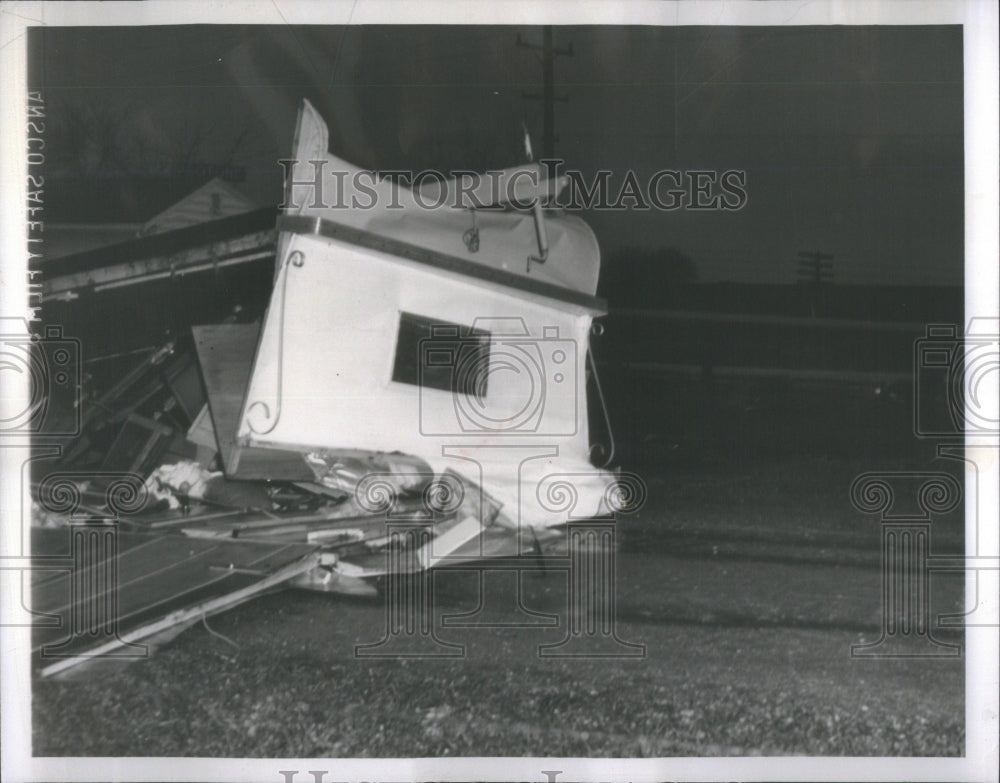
(851, 137)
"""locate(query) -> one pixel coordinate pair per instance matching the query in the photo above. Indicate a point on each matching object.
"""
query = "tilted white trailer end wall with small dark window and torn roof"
(390, 332)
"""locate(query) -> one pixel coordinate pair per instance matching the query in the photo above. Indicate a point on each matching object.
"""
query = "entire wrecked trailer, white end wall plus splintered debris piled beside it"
(423, 360)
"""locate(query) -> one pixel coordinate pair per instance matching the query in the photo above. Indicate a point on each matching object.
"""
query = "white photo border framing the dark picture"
(982, 130)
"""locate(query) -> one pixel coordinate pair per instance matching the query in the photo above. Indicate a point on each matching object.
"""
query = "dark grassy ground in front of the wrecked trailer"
(747, 583)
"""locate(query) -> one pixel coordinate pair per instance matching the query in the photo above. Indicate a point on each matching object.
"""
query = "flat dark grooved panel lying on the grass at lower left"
(131, 585)
